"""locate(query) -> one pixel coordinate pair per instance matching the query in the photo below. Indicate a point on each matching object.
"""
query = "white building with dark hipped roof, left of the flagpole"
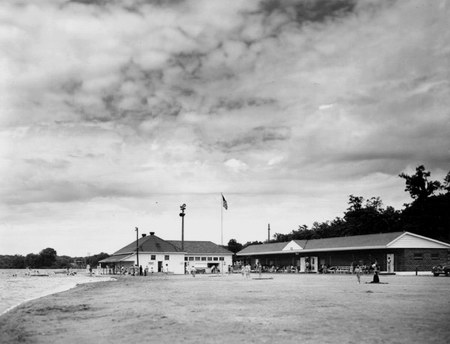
(157, 255)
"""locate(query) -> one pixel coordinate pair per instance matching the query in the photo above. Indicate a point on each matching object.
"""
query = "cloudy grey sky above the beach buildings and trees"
(115, 113)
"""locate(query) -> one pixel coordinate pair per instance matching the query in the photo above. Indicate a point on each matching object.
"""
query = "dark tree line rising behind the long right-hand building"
(428, 214)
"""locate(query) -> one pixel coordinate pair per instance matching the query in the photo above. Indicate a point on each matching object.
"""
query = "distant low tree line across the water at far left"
(49, 259)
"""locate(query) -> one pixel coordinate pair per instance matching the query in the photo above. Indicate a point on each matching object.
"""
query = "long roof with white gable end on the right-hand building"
(356, 242)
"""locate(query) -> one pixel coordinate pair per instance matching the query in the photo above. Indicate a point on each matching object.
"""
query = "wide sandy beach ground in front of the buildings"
(289, 308)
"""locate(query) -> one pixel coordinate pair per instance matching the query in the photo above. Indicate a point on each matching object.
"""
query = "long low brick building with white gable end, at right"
(397, 252)
